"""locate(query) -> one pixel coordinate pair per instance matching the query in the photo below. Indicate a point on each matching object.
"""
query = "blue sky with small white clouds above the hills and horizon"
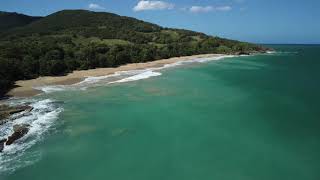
(259, 21)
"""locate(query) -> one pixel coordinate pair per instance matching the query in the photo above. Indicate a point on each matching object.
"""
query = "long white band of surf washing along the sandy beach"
(124, 76)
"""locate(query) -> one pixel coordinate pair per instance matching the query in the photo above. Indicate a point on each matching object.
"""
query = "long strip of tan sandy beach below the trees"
(25, 88)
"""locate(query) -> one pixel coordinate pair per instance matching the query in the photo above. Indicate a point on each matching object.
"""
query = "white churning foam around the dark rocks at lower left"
(40, 119)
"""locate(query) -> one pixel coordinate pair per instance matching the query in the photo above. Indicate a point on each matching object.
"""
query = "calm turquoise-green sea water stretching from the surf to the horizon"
(242, 118)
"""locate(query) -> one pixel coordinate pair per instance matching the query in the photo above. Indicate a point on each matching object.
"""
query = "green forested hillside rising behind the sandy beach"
(77, 39)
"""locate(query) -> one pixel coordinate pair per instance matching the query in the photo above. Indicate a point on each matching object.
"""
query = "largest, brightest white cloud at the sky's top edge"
(152, 5)
